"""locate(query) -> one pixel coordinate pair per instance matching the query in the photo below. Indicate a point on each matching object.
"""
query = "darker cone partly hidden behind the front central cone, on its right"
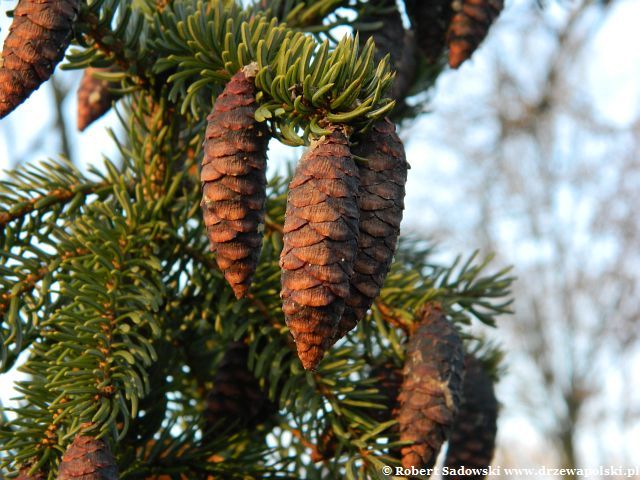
(381, 201)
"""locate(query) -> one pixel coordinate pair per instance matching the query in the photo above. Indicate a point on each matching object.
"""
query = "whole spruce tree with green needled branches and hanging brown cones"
(180, 315)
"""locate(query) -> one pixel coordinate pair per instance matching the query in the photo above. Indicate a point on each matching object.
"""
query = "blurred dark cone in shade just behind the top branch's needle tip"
(392, 39)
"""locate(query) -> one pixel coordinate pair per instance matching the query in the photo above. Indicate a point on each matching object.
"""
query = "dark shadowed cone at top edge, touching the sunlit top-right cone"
(430, 19)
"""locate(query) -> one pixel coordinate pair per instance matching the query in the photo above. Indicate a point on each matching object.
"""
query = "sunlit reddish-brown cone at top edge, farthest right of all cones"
(469, 27)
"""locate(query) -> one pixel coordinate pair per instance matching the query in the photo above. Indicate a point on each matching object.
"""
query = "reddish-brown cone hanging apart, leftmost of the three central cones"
(234, 181)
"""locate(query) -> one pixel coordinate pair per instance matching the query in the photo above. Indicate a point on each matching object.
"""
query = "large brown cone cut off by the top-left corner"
(38, 37)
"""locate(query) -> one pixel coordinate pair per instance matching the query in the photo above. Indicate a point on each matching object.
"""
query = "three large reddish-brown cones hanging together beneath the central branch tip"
(342, 218)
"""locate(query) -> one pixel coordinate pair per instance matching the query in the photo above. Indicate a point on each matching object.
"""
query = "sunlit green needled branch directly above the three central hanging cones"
(302, 85)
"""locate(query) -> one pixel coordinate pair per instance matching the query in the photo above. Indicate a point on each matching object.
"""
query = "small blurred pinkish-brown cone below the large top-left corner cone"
(94, 98)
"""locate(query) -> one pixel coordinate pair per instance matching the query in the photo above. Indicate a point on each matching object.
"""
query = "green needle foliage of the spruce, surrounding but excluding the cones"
(122, 315)
